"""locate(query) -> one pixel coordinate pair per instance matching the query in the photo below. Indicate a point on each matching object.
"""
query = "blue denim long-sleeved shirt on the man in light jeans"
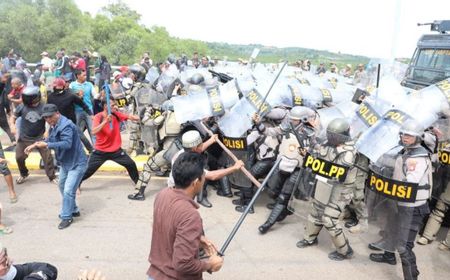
(64, 139)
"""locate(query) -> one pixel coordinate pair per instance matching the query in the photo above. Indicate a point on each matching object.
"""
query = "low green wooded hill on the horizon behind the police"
(274, 54)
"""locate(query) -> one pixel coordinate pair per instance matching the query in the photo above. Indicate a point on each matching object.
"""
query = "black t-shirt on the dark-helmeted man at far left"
(32, 126)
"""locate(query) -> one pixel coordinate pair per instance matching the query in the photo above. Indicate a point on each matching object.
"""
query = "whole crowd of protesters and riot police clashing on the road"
(51, 109)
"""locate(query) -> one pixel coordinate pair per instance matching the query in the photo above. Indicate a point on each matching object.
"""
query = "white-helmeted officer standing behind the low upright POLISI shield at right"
(412, 165)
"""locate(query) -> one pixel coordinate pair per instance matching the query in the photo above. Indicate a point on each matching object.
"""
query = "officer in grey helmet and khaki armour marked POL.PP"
(332, 195)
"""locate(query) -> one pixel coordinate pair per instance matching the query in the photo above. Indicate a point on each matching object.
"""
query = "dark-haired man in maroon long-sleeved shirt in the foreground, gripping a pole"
(177, 232)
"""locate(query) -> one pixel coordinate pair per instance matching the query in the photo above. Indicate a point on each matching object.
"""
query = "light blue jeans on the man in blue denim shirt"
(69, 180)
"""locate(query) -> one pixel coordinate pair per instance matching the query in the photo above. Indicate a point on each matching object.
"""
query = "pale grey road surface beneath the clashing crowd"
(113, 234)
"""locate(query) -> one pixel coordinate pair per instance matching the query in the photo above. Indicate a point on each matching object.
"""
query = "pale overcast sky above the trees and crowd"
(374, 28)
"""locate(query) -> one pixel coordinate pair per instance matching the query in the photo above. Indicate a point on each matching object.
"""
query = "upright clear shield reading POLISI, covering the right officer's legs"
(388, 200)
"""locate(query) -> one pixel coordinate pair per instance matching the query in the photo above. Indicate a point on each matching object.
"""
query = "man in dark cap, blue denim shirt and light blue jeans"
(64, 140)
